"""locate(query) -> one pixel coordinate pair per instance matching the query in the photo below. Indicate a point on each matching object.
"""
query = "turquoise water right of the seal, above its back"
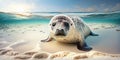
(113, 18)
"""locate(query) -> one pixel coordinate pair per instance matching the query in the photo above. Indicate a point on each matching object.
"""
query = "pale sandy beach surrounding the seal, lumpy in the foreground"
(105, 46)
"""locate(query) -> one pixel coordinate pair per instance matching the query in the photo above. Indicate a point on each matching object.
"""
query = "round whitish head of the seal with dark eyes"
(60, 25)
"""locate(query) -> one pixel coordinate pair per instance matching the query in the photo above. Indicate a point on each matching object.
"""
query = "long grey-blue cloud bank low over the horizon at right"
(99, 8)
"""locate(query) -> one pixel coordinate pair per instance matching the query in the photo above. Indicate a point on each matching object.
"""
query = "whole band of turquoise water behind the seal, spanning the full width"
(8, 18)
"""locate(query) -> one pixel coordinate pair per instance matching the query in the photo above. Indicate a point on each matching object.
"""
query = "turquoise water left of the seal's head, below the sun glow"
(6, 18)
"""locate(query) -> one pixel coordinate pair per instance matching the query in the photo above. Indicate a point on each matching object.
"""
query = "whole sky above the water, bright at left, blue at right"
(60, 5)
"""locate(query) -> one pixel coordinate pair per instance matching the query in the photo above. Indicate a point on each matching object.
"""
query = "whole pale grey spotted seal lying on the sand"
(69, 30)
